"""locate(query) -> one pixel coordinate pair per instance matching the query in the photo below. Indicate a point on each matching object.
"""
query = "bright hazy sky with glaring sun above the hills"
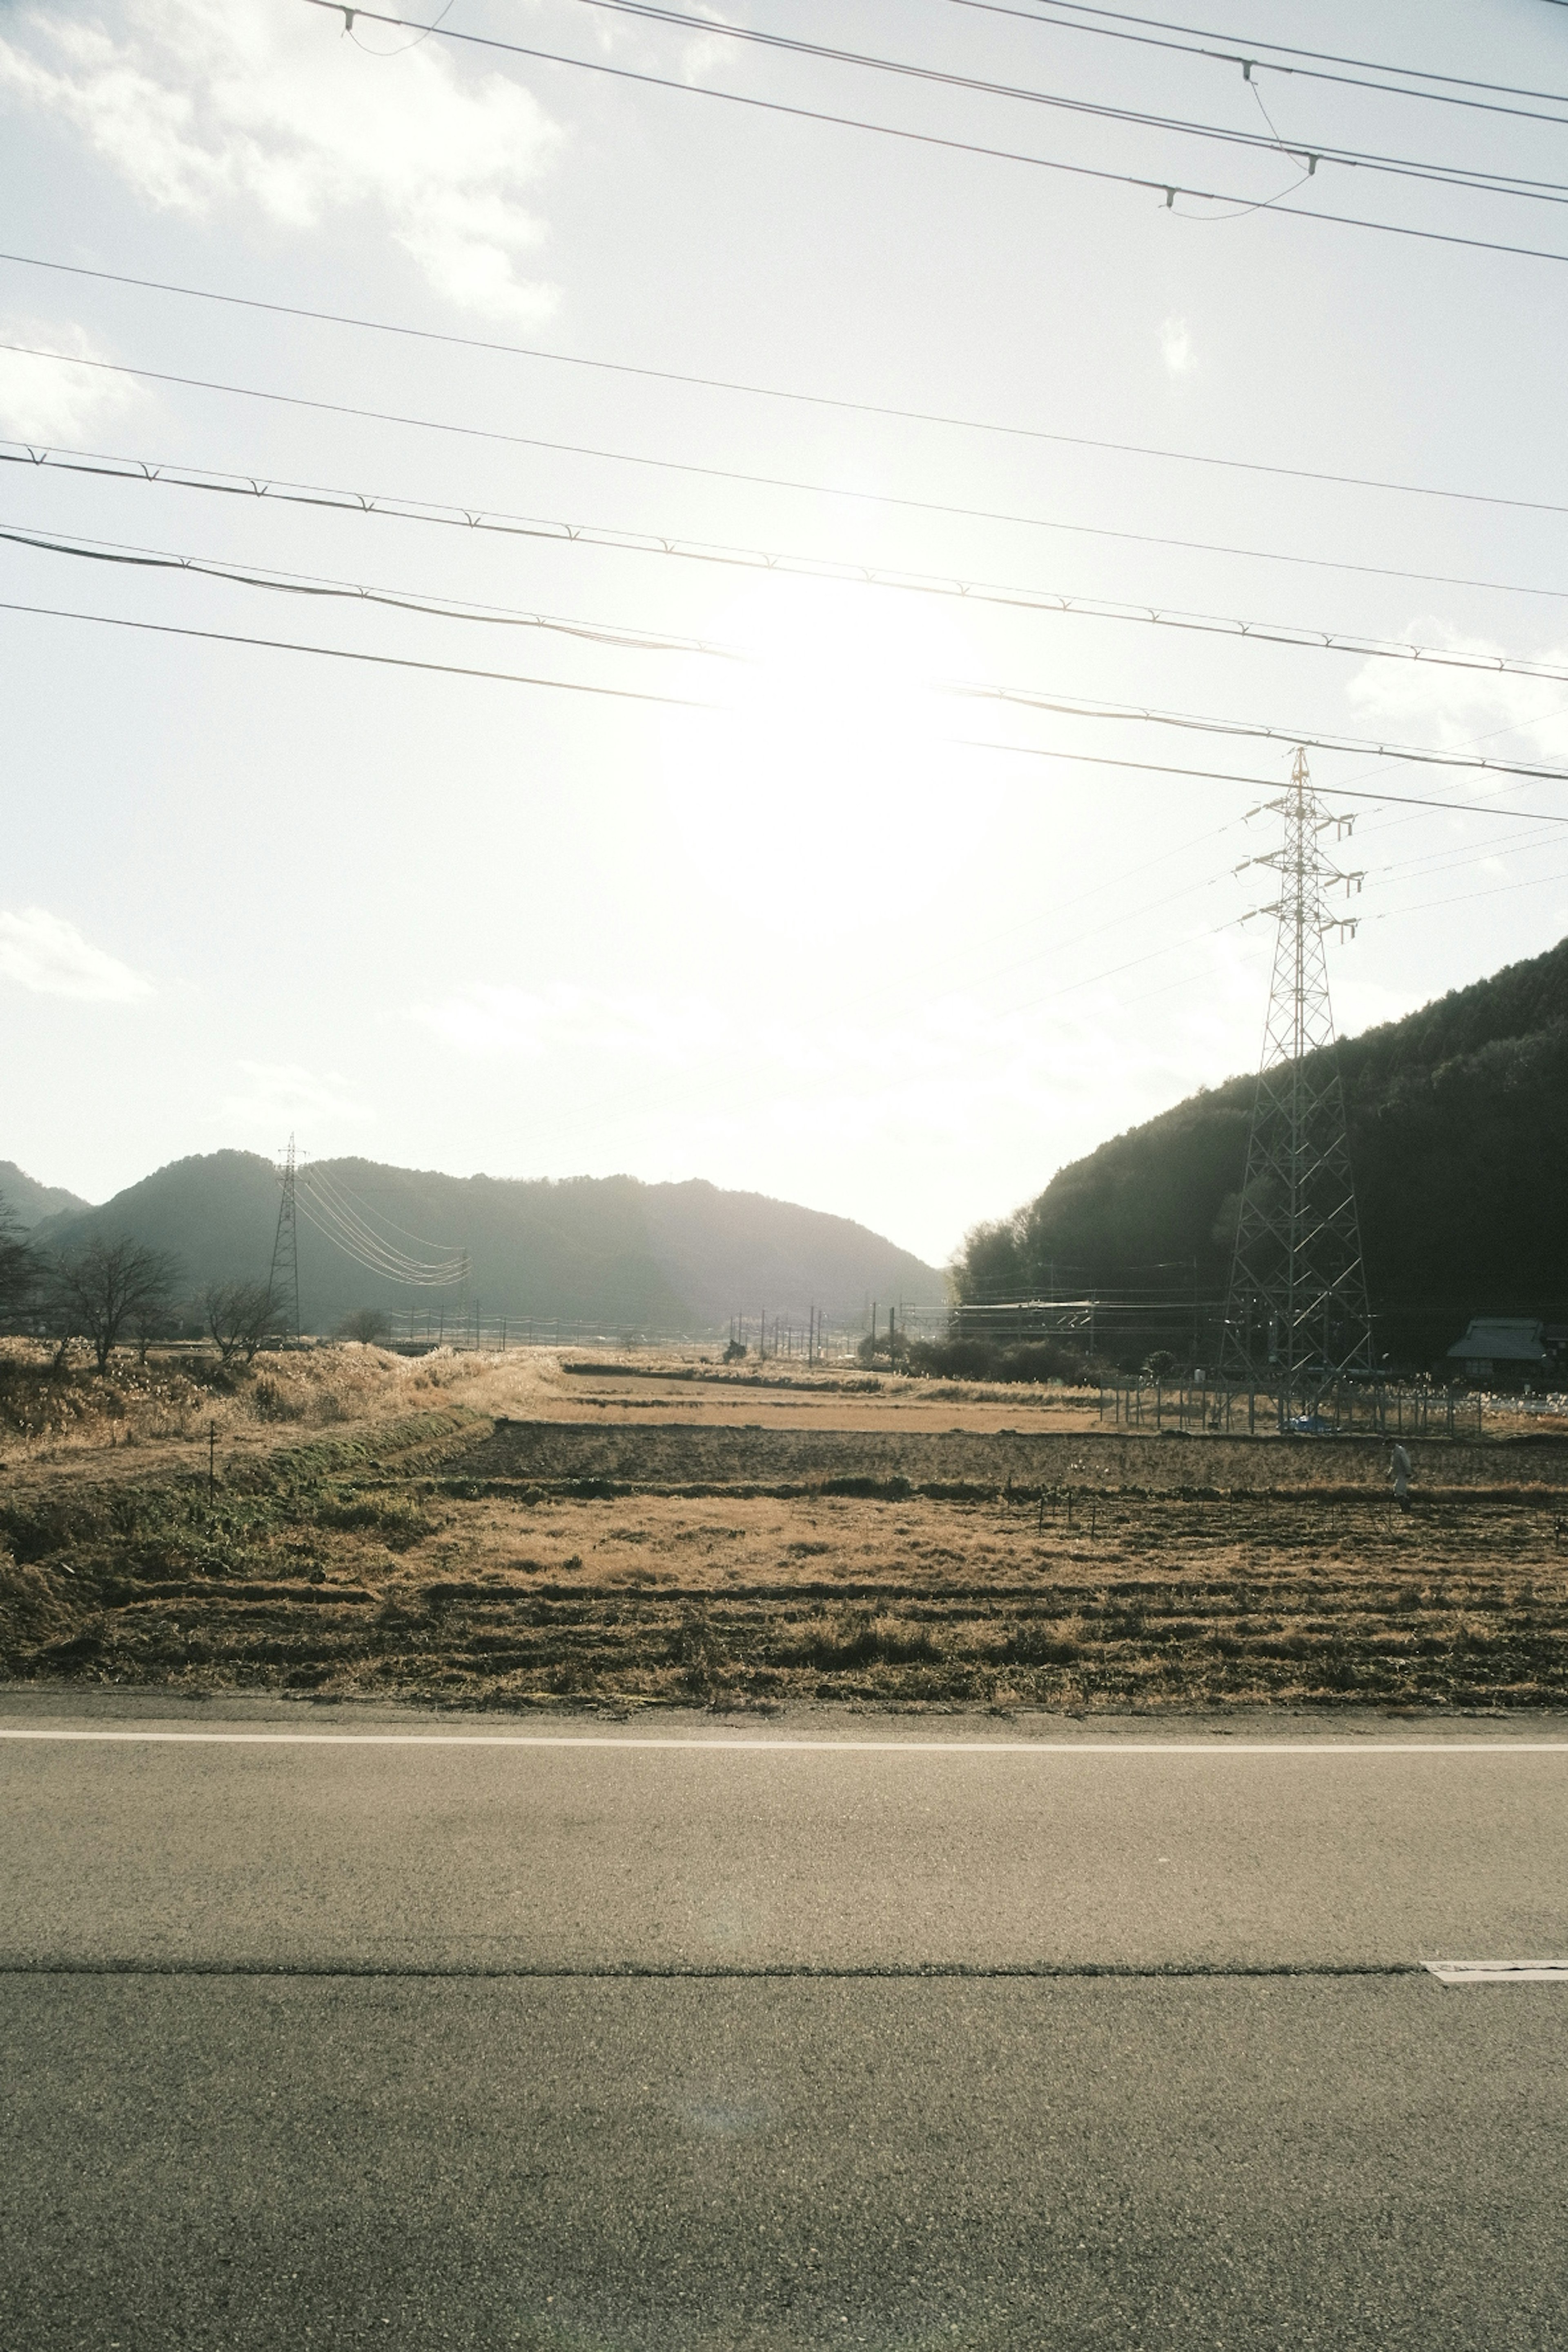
(742, 867)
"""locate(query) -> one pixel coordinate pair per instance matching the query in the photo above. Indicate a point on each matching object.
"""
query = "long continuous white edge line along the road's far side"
(782, 1746)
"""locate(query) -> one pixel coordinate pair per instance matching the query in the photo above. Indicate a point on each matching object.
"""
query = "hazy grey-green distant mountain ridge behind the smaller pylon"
(598, 1250)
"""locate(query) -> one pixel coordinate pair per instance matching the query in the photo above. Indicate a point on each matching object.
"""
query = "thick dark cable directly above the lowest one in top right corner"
(1313, 154)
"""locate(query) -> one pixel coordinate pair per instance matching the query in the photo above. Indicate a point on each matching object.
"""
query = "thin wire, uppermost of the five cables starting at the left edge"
(756, 392)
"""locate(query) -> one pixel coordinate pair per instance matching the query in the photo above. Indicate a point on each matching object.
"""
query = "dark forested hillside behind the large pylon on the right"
(1459, 1140)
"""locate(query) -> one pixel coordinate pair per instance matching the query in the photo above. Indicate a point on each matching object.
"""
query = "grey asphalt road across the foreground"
(403, 2043)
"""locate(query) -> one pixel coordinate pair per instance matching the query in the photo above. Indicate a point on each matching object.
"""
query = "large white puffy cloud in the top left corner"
(260, 105)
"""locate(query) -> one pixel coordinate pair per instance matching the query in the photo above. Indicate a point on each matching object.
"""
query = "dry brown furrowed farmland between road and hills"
(509, 1532)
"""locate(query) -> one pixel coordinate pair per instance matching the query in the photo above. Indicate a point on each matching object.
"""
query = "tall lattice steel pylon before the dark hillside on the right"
(1296, 1316)
